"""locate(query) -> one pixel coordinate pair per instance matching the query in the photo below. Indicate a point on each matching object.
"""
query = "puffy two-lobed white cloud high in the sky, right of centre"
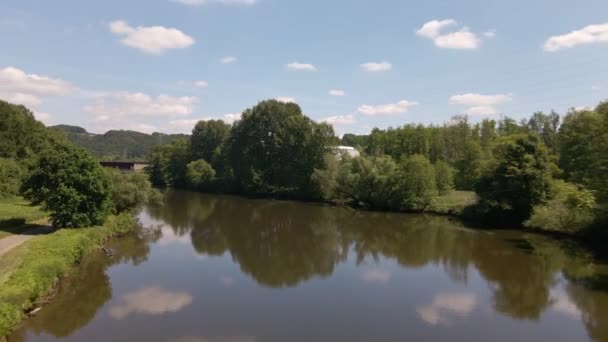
(460, 39)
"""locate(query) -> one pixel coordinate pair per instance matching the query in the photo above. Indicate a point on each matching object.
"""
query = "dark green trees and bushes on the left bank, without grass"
(41, 165)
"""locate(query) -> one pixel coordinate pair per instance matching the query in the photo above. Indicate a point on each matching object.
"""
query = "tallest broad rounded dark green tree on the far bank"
(274, 149)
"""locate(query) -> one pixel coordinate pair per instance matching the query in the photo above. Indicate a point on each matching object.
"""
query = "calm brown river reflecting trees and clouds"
(220, 268)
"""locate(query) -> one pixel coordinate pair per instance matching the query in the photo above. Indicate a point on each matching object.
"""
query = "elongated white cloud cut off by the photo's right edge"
(587, 35)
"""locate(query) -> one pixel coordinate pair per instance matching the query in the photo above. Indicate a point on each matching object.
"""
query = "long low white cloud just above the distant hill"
(125, 104)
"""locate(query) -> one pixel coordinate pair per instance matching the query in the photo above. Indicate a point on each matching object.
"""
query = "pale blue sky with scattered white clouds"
(161, 65)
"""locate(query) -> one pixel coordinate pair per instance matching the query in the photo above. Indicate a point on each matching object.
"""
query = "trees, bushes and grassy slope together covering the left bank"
(69, 186)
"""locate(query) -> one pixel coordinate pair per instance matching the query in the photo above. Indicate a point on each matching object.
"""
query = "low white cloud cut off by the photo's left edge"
(14, 80)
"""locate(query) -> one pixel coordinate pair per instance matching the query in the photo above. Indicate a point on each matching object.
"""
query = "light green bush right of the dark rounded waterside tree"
(570, 209)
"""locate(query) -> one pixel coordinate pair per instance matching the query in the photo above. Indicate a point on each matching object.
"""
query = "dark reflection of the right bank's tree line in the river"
(283, 243)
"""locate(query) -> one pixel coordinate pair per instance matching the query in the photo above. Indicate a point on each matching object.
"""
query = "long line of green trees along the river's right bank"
(547, 171)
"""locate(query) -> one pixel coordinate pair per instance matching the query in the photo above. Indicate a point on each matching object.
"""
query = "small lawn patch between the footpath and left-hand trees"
(15, 212)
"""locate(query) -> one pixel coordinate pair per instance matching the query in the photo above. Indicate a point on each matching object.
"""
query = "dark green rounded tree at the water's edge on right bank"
(517, 179)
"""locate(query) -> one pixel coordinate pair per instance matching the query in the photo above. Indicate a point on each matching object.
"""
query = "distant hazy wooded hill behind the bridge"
(116, 144)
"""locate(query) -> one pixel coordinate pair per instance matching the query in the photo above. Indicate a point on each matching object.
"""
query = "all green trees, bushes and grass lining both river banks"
(509, 173)
